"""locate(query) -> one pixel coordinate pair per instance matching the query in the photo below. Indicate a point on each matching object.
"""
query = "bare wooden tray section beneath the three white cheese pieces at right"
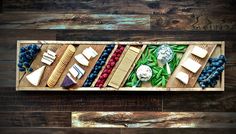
(173, 82)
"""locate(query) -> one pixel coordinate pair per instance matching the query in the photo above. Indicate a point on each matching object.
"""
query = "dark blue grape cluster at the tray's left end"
(26, 56)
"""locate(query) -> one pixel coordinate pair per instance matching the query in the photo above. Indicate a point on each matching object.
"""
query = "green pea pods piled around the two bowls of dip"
(160, 75)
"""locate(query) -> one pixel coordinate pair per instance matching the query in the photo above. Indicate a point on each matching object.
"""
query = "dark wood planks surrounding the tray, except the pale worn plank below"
(121, 20)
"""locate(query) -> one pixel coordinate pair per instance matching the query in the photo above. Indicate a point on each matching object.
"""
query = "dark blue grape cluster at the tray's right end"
(212, 72)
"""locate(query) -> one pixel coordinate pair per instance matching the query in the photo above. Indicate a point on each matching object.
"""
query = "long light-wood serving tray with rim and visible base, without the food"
(215, 48)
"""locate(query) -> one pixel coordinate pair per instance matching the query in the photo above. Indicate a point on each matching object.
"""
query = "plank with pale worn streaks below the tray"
(153, 119)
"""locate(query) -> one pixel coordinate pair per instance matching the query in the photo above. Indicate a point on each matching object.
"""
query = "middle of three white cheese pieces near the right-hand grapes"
(191, 65)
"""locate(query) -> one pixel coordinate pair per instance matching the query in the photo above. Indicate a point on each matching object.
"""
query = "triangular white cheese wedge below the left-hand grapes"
(35, 77)
